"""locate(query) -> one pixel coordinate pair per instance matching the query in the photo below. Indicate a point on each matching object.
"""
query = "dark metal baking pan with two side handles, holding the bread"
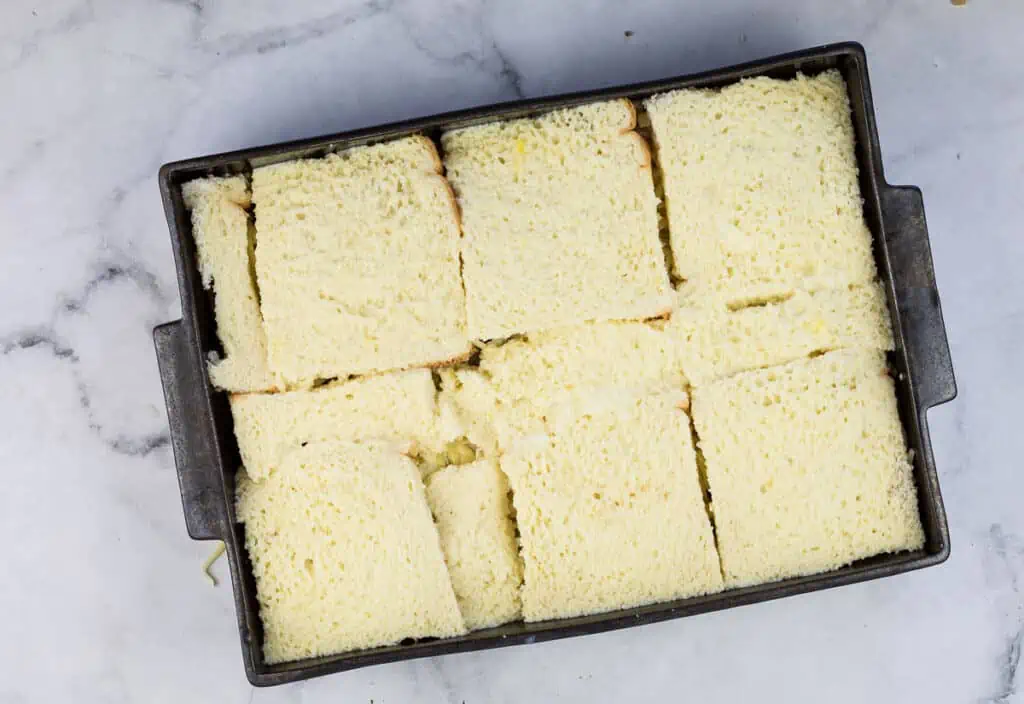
(207, 456)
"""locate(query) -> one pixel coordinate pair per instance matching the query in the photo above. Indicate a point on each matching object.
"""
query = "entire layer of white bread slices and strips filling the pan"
(558, 477)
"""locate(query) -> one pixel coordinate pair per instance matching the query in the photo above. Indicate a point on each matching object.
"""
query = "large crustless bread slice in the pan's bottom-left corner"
(346, 553)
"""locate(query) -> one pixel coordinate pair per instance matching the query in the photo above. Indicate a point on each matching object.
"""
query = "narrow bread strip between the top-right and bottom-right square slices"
(715, 342)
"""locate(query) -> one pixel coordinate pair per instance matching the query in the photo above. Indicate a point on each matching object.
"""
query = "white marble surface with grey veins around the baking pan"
(101, 590)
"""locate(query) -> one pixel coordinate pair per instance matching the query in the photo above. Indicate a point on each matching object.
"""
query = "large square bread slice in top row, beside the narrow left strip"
(358, 259)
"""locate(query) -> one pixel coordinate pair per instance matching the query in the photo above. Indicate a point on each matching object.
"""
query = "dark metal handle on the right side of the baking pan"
(917, 296)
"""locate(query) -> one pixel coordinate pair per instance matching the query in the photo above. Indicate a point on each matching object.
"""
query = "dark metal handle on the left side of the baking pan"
(202, 490)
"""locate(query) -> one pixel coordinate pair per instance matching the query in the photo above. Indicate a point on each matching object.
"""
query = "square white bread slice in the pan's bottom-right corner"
(807, 467)
